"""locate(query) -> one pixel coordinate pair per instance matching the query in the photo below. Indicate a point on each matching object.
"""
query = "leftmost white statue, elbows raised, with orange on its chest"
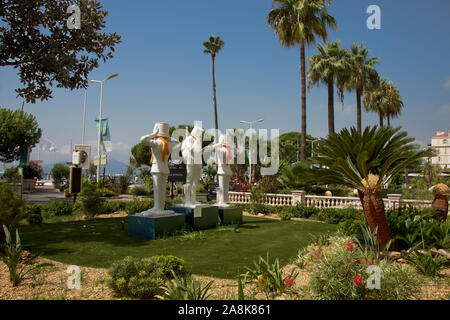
(162, 145)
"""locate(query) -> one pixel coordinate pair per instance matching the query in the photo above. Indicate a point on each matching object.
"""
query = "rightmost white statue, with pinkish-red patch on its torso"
(225, 154)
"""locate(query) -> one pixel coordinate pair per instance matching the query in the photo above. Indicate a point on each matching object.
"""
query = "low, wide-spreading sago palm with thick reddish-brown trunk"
(366, 161)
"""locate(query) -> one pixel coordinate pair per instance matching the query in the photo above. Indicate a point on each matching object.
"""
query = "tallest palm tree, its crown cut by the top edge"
(299, 22)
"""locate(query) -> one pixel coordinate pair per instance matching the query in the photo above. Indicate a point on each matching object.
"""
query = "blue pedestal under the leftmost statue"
(155, 226)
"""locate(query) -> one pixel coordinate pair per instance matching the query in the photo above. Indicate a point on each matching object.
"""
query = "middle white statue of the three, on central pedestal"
(191, 150)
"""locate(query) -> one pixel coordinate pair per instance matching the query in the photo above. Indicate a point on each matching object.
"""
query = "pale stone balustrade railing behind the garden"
(298, 197)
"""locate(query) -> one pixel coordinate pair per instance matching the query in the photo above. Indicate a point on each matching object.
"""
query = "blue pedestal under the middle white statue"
(205, 218)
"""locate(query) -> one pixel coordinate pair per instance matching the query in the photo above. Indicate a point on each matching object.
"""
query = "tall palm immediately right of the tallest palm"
(327, 67)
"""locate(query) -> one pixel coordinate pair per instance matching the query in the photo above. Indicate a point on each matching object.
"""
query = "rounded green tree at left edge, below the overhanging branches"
(19, 133)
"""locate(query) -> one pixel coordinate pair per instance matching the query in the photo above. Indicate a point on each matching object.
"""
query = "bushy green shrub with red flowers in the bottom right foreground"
(341, 271)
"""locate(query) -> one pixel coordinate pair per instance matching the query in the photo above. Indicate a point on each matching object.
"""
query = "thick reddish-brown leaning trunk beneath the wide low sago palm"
(376, 217)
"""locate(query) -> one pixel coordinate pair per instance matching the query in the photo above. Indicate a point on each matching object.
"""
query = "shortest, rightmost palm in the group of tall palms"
(383, 97)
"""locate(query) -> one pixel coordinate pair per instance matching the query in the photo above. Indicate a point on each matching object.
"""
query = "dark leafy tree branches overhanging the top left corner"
(35, 39)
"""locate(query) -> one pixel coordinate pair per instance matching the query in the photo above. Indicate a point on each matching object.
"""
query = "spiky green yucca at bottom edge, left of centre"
(185, 288)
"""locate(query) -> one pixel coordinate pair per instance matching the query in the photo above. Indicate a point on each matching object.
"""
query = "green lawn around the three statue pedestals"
(219, 252)
